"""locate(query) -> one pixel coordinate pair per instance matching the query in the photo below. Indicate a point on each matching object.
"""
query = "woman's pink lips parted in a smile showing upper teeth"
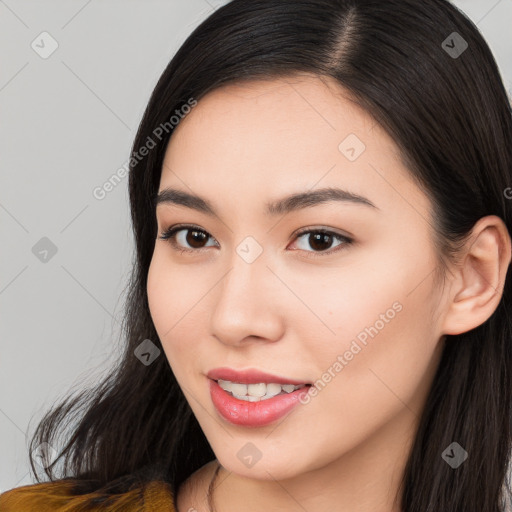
(253, 398)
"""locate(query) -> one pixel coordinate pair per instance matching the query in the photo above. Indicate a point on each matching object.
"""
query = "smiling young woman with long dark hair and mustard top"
(320, 310)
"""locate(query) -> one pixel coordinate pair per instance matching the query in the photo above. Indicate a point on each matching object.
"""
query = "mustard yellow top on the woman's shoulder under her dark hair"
(55, 496)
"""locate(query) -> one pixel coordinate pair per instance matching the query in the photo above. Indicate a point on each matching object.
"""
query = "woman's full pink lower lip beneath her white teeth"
(253, 414)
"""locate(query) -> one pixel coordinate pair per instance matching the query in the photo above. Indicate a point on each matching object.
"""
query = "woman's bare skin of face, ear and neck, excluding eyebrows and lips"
(293, 315)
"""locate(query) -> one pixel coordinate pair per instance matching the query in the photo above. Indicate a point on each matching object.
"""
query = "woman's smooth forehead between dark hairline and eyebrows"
(269, 138)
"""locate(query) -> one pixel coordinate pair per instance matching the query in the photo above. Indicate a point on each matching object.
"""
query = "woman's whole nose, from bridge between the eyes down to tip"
(244, 305)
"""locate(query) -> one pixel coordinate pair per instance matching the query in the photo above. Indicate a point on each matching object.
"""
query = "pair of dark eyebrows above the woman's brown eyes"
(284, 205)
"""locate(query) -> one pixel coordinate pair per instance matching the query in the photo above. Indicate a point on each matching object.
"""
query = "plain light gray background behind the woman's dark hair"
(67, 124)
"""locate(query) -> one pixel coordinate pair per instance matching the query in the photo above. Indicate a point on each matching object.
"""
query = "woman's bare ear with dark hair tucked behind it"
(479, 279)
